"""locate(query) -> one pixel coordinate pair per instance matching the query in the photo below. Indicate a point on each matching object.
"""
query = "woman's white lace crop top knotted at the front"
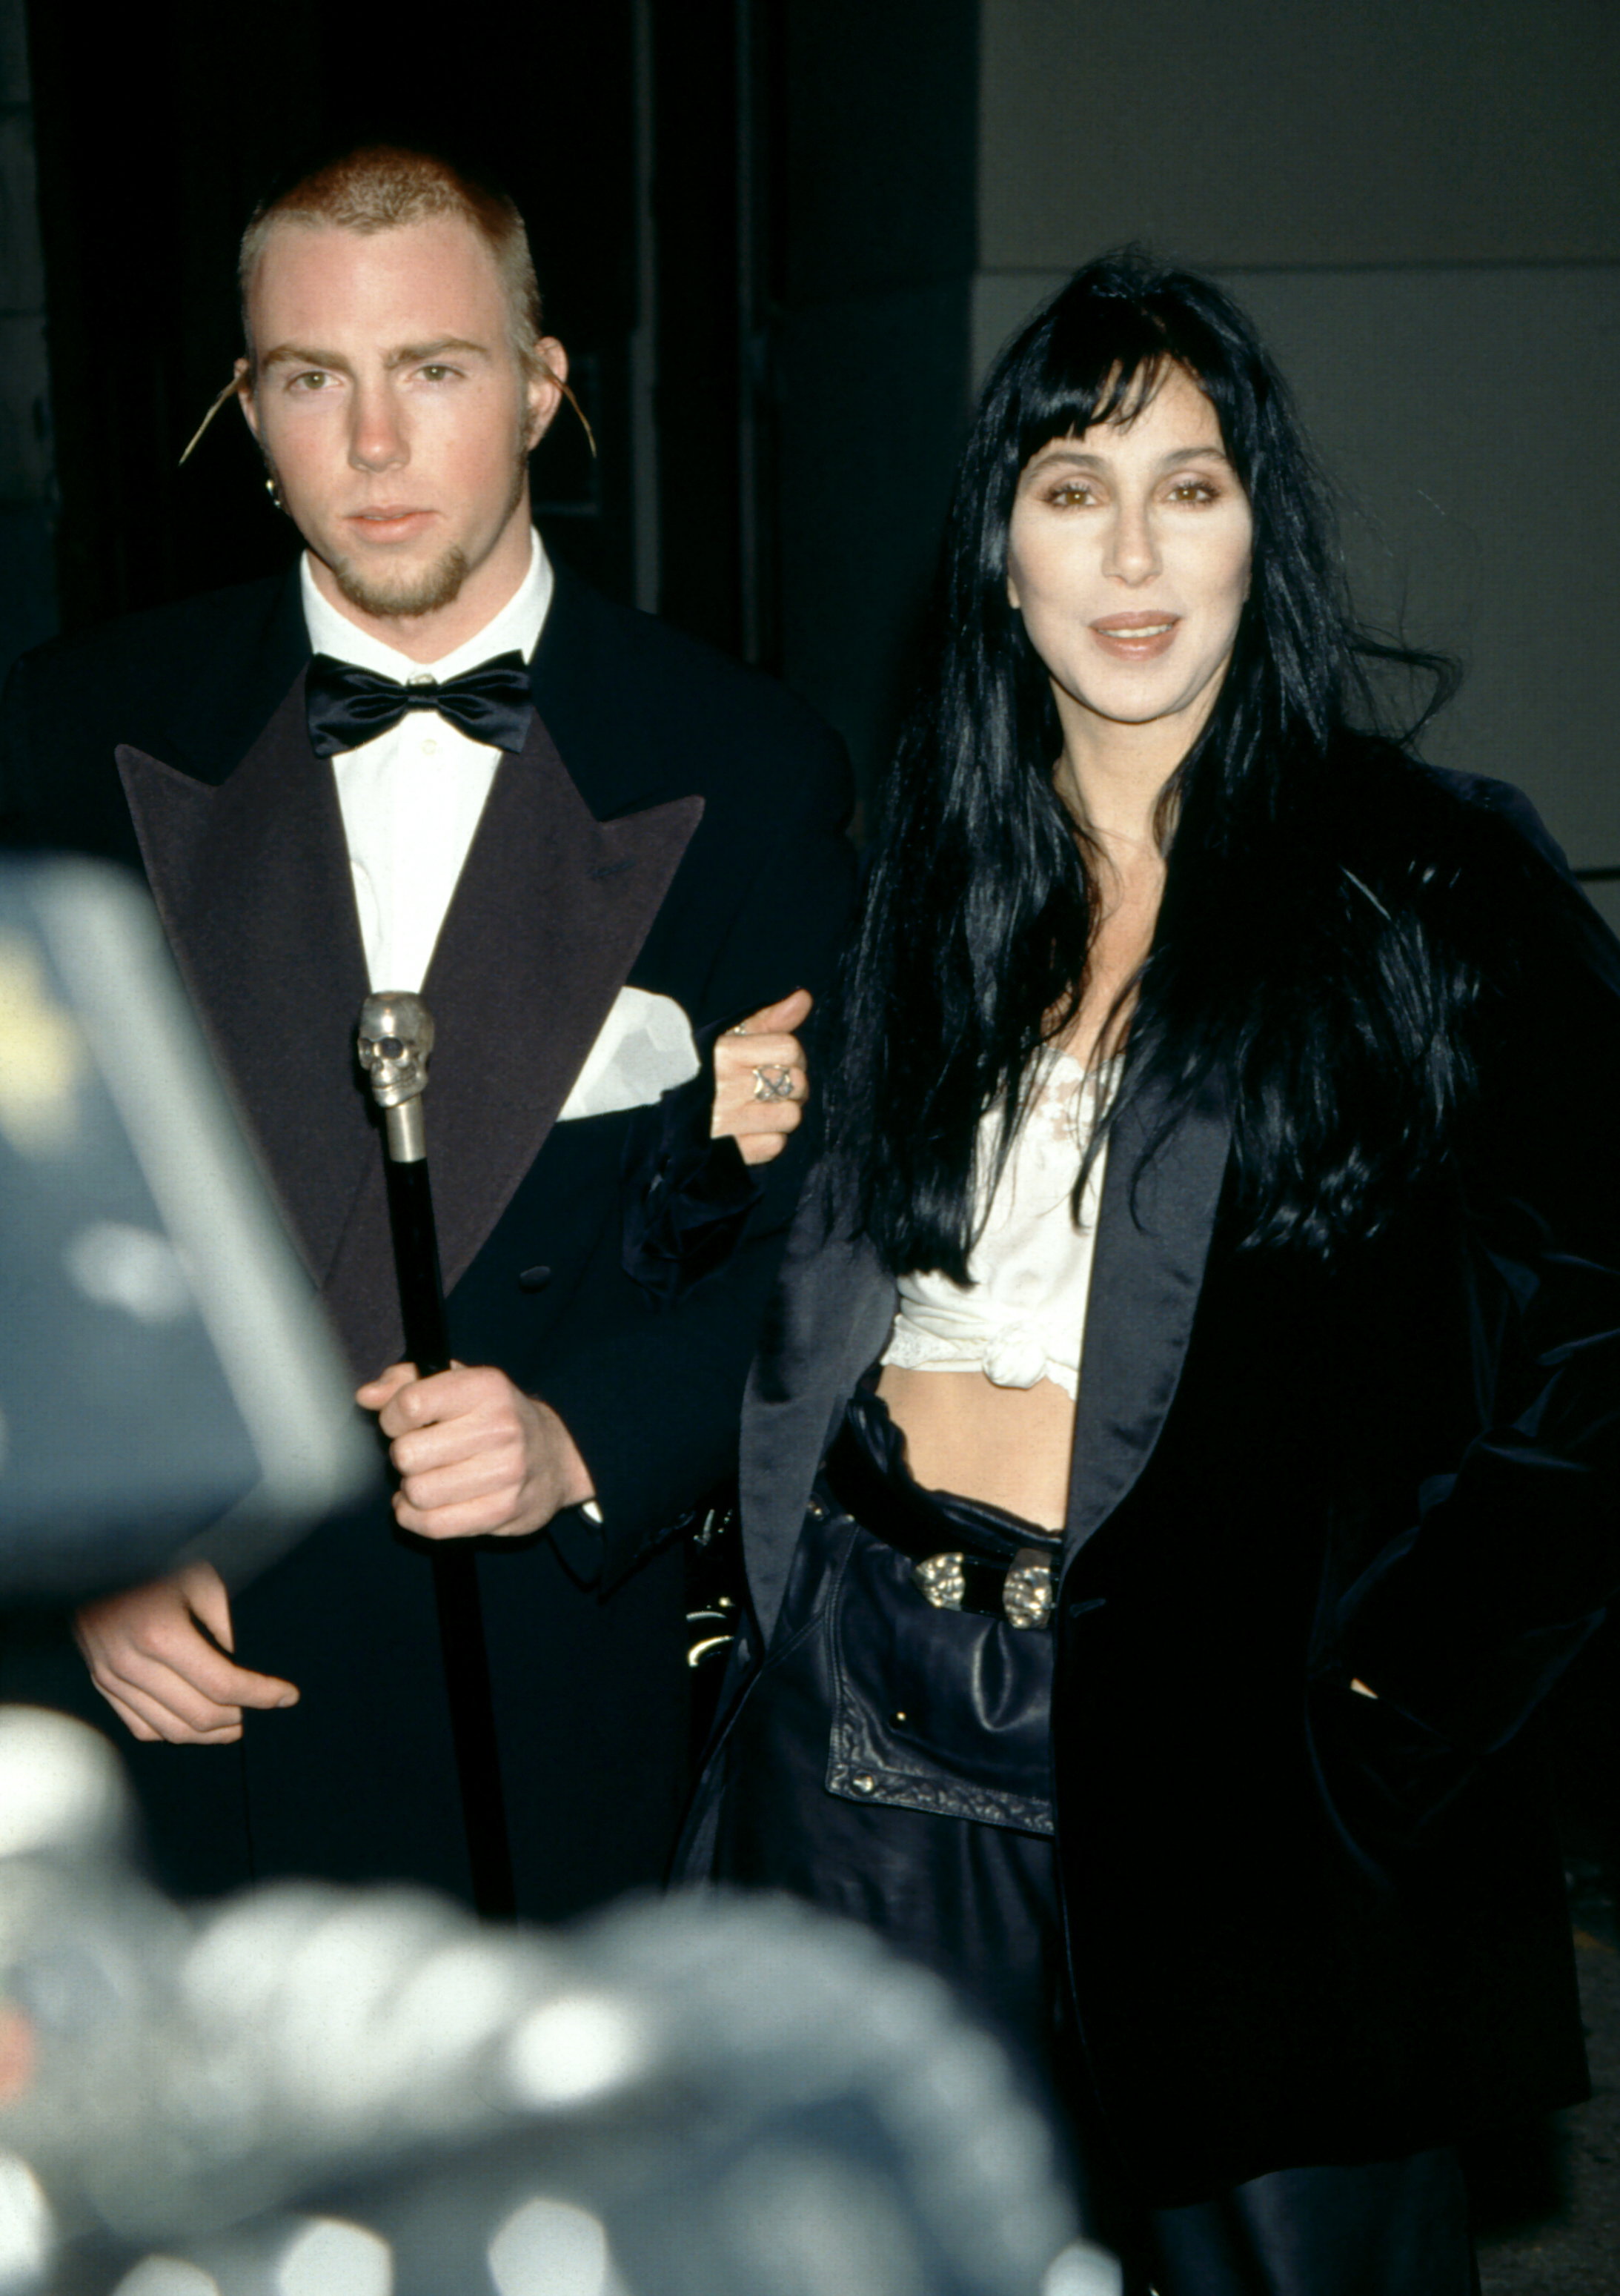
(1022, 1314)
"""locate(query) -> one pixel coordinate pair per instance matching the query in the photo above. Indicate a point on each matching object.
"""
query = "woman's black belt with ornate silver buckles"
(1013, 1581)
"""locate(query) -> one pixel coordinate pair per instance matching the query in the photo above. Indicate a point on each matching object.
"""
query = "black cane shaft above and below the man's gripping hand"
(455, 1567)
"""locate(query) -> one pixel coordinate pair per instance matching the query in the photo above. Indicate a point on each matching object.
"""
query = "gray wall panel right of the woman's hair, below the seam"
(1470, 419)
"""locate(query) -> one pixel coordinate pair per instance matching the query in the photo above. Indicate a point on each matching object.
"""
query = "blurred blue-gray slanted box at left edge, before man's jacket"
(162, 1356)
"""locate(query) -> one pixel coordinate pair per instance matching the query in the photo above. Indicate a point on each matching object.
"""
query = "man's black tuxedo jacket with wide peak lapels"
(673, 825)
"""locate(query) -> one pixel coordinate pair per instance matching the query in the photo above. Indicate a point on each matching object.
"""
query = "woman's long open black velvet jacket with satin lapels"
(1302, 1925)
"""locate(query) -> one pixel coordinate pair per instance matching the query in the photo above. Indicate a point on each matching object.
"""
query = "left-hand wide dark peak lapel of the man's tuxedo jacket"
(254, 887)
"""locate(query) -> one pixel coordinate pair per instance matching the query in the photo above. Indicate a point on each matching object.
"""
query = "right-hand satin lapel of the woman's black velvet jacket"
(1153, 1241)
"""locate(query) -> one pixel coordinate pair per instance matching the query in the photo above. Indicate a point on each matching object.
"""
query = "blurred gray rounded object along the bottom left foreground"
(361, 2093)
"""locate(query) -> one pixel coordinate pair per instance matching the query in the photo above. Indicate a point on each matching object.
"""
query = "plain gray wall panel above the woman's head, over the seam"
(1256, 132)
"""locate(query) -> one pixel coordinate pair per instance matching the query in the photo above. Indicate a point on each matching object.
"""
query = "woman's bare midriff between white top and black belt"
(999, 1445)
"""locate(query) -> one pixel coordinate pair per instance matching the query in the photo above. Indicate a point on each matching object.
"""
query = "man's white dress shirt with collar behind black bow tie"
(412, 798)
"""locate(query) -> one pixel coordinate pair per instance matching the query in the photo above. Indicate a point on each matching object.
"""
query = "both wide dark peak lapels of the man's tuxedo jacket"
(256, 892)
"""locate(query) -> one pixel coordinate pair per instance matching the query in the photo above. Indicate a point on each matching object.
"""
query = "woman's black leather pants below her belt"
(894, 1764)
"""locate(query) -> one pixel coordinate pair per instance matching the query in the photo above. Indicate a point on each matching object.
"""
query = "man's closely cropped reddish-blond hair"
(382, 189)
